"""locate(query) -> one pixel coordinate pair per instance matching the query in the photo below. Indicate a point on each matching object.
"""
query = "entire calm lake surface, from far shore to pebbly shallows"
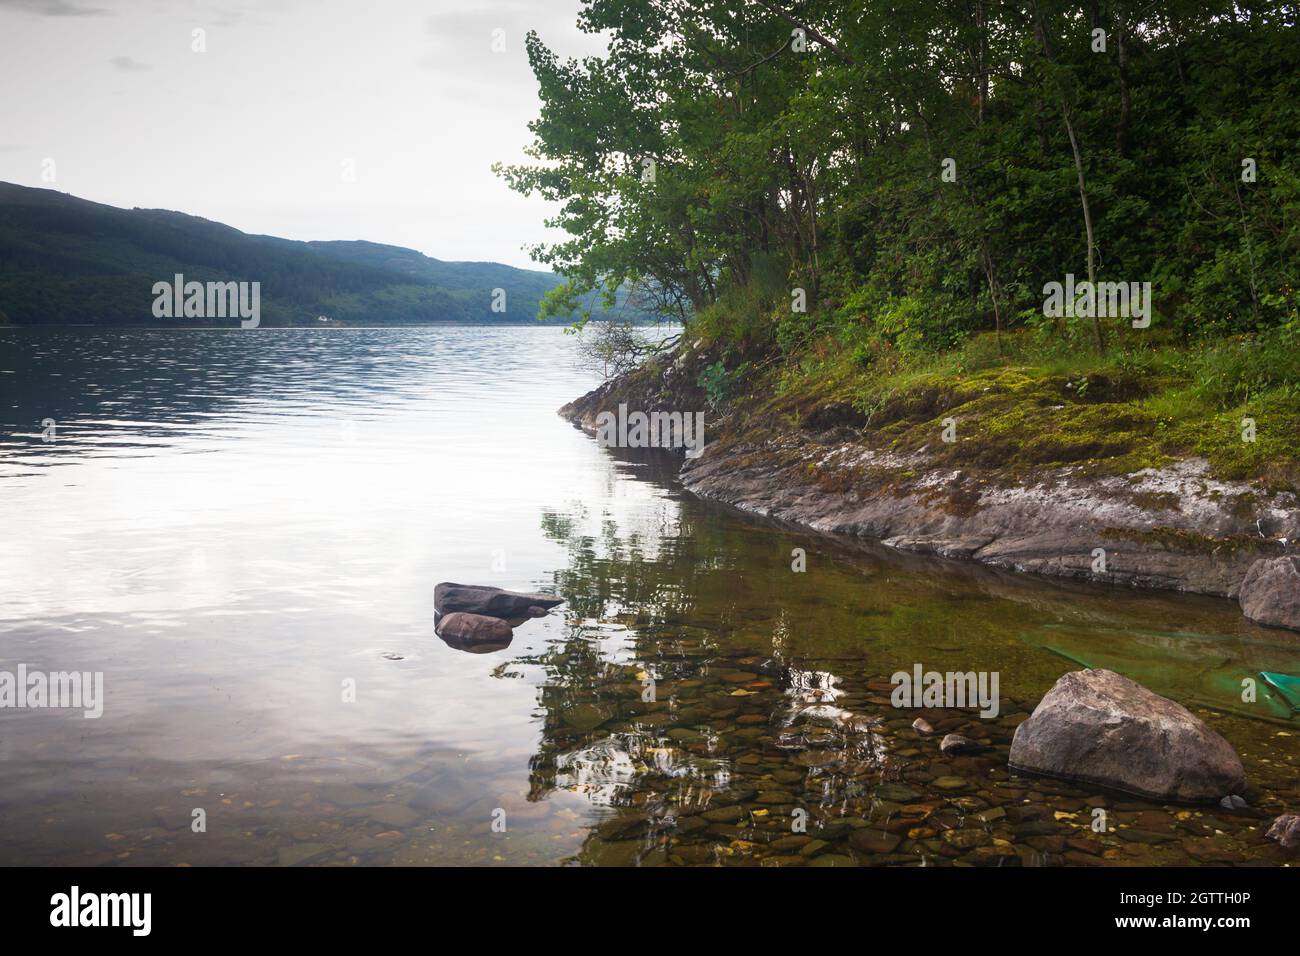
(239, 527)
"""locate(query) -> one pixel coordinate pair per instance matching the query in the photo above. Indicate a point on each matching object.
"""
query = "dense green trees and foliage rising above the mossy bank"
(720, 162)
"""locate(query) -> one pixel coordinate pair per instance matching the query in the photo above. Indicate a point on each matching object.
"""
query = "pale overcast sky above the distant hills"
(257, 131)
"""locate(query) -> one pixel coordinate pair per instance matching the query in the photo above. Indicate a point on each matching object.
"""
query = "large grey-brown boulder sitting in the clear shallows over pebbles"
(1100, 728)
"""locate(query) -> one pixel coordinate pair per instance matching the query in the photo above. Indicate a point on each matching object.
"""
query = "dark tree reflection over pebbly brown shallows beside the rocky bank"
(716, 707)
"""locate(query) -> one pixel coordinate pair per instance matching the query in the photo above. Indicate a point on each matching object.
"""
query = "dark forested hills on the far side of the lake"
(67, 261)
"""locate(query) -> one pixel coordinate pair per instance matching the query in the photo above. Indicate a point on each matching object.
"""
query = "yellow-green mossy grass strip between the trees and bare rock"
(1022, 406)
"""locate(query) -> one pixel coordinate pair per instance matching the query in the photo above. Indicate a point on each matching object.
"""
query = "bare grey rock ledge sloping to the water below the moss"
(1175, 527)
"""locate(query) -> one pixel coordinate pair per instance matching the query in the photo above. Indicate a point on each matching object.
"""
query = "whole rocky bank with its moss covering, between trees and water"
(1076, 475)
